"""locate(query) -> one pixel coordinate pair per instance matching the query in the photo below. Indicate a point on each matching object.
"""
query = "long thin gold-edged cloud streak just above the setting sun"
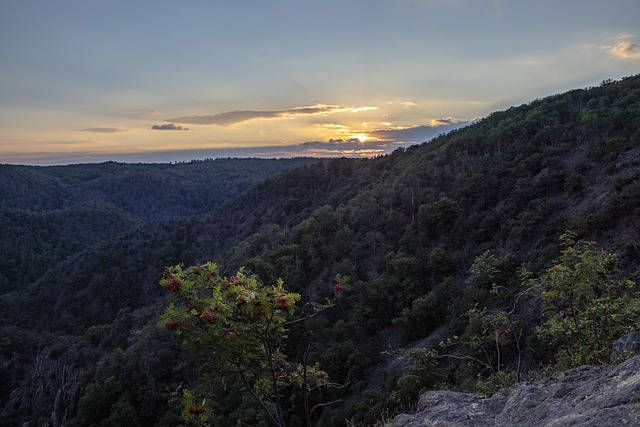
(235, 117)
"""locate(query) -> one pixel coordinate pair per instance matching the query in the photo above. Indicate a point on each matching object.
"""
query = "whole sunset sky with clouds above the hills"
(174, 80)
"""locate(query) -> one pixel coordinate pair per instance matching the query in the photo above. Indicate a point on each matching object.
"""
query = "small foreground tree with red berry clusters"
(238, 327)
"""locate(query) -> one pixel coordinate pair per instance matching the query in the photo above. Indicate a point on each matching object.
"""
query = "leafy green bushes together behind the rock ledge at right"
(584, 305)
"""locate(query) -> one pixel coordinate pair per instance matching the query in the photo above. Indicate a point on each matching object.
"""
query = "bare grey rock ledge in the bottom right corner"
(585, 396)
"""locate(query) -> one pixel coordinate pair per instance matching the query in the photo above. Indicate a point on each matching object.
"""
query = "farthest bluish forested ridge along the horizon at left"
(147, 191)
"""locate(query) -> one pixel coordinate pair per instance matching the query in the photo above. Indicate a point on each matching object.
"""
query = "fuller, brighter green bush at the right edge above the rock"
(586, 306)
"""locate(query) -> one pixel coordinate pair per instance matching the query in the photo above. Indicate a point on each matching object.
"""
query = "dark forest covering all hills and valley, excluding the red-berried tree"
(442, 252)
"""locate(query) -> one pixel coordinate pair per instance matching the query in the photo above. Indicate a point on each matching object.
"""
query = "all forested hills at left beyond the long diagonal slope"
(51, 213)
